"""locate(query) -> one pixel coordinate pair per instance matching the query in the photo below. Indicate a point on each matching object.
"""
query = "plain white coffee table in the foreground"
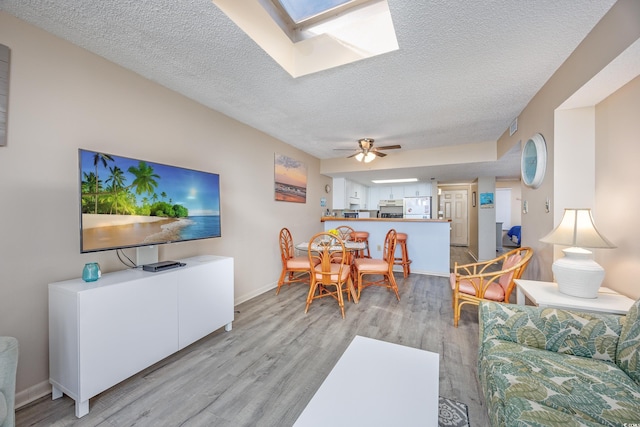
(376, 383)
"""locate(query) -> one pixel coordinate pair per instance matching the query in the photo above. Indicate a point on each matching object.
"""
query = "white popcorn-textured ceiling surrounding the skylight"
(464, 70)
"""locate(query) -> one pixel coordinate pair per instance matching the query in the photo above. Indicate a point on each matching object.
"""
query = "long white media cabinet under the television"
(103, 332)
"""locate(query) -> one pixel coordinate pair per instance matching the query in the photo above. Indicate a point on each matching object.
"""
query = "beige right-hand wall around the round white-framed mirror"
(616, 31)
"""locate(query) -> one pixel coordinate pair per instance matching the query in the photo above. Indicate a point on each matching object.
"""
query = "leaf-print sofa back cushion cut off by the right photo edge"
(628, 352)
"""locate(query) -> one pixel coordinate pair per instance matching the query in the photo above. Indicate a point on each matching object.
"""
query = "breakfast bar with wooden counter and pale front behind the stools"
(427, 243)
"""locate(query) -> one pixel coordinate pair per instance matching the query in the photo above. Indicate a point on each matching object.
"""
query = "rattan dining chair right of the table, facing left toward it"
(378, 267)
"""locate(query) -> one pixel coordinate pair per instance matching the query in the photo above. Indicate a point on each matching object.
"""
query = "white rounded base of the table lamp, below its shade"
(577, 274)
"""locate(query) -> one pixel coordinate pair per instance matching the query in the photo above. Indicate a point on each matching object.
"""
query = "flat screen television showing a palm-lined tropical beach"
(128, 203)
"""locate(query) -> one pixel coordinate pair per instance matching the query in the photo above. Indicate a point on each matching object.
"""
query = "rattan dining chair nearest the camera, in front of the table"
(331, 275)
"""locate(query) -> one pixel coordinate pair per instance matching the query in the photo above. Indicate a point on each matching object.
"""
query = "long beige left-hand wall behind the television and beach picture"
(62, 98)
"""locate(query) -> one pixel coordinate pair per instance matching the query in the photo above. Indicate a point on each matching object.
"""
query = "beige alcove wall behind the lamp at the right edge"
(617, 155)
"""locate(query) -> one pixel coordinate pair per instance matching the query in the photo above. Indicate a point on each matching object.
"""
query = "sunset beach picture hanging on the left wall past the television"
(290, 179)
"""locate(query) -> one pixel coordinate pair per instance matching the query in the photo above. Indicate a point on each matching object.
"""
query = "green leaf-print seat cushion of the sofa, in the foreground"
(534, 387)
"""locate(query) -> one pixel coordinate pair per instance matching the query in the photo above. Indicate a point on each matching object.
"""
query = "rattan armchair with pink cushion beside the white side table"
(491, 280)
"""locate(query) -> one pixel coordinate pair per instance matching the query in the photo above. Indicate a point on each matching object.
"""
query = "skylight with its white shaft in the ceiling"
(336, 32)
